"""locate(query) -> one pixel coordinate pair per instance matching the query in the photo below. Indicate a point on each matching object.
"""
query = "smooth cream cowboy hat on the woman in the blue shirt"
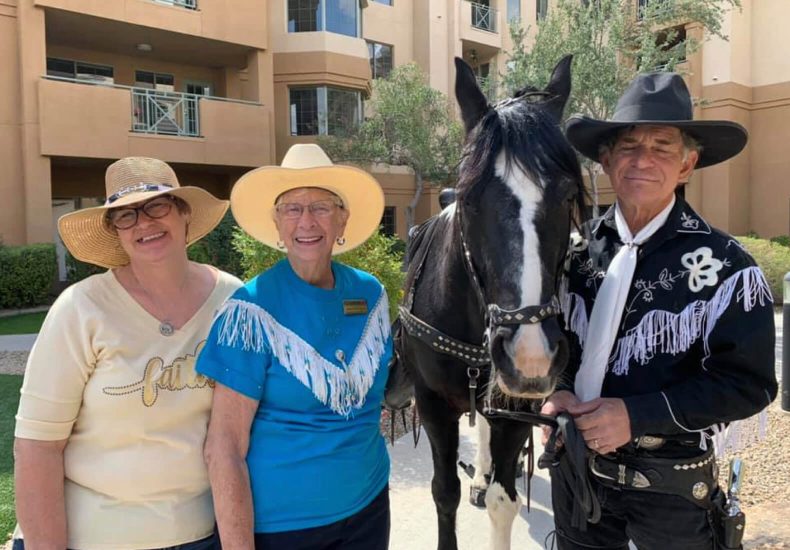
(307, 165)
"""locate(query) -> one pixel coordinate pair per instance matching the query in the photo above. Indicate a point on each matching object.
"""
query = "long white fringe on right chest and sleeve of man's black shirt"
(673, 333)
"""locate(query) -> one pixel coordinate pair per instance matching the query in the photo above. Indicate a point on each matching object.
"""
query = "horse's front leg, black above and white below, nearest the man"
(502, 500)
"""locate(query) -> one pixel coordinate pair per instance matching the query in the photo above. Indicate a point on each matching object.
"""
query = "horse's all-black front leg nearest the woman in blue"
(441, 424)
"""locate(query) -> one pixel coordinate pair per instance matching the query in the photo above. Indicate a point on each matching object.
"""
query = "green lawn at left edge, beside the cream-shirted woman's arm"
(9, 398)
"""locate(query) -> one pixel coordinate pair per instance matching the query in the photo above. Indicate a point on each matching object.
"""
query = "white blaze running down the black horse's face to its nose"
(529, 348)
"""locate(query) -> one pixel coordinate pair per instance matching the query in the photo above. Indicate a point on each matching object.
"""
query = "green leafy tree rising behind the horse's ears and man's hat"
(612, 41)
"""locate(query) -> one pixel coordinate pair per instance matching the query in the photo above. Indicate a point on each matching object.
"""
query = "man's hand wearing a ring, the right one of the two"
(604, 423)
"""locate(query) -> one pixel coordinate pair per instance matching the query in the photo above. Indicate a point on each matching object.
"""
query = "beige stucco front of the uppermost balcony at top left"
(235, 21)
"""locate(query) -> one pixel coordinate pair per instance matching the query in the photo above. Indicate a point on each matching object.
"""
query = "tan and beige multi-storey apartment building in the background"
(217, 87)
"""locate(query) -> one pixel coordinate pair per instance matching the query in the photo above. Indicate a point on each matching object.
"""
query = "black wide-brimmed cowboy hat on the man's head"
(660, 99)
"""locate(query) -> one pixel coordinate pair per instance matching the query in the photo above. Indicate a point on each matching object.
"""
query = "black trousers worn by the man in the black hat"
(652, 521)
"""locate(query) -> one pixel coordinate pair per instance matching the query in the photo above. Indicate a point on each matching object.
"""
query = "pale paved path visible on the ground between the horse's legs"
(414, 516)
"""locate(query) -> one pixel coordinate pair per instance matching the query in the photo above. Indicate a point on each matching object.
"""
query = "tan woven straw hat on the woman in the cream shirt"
(134, 179)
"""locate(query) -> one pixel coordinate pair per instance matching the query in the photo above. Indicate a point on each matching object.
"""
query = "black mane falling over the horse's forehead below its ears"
(529, 136)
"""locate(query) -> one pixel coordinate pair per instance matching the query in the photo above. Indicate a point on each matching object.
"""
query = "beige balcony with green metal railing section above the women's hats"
(94, 120)
